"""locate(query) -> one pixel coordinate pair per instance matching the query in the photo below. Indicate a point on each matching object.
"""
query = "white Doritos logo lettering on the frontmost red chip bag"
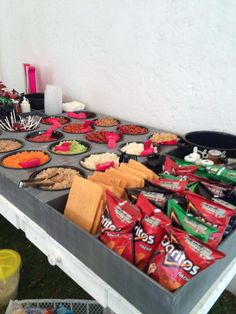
(176, 257)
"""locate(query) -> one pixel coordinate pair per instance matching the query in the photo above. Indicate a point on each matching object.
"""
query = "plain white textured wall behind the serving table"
(167, 63)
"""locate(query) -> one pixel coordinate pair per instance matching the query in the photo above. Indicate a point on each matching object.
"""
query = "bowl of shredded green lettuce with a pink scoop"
(69, 147)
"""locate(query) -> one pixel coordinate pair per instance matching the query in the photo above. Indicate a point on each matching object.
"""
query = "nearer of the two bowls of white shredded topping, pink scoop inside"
(100, 161)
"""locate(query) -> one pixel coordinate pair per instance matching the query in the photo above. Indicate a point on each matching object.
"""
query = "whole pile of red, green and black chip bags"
(171, 227)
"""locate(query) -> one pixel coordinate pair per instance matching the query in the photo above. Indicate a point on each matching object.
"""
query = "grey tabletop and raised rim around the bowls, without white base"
(46, 209)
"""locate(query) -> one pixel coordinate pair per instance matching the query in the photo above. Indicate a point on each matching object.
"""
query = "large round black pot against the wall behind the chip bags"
(208, 140)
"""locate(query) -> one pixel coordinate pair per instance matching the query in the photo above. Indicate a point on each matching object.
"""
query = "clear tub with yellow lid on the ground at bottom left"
(10, 263)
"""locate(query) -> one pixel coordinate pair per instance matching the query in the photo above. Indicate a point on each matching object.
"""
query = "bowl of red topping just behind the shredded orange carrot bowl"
(44, 136)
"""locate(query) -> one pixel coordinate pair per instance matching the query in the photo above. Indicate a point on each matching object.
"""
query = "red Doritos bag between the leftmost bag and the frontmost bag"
(149, 232)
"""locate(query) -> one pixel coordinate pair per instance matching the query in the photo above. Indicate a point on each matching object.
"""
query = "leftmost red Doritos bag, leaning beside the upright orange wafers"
(118, 221)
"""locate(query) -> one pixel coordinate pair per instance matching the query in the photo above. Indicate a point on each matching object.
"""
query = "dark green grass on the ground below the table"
(40, 280)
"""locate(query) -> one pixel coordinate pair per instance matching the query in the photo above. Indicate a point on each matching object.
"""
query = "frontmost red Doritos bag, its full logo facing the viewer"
(178, 258)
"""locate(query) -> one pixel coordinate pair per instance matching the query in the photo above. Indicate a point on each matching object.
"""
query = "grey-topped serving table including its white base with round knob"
(112, 281)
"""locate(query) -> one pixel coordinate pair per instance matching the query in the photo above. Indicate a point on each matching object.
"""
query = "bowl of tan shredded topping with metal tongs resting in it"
(55, 178)
